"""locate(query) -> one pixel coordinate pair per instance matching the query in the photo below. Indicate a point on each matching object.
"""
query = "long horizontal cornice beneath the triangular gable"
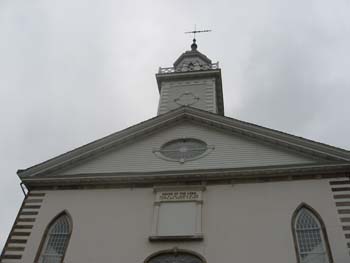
(215, 176)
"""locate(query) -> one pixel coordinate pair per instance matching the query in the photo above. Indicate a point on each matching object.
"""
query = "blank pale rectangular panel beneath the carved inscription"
(177, 218)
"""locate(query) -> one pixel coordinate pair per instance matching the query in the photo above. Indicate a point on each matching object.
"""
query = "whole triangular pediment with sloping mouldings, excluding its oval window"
(236, 145)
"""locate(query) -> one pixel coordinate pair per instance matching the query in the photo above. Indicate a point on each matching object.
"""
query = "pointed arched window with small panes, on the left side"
(55, 241)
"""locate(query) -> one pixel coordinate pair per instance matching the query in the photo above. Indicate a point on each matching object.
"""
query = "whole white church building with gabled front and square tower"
(187, 186)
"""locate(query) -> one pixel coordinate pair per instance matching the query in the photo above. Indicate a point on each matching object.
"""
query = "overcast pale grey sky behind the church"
(72, 71)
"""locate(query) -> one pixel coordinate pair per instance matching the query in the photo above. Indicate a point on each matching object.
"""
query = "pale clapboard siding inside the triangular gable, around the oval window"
(231, 151)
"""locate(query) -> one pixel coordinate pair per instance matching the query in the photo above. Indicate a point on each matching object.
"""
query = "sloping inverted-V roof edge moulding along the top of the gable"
(251, 130)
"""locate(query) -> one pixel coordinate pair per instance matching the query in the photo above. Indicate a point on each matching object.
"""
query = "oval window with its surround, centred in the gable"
(183, 150)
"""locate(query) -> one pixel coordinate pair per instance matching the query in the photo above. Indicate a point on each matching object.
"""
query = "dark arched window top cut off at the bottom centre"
(175, 255)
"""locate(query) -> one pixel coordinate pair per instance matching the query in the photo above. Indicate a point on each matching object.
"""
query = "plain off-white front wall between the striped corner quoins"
(242, 223)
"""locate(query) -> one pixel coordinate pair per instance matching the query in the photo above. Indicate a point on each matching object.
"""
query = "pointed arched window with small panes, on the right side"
(310, 236)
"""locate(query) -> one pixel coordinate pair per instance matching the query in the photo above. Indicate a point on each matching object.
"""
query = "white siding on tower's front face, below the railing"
(204, 89)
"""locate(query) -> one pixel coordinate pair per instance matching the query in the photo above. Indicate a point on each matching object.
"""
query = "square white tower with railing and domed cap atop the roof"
(193, 81)
